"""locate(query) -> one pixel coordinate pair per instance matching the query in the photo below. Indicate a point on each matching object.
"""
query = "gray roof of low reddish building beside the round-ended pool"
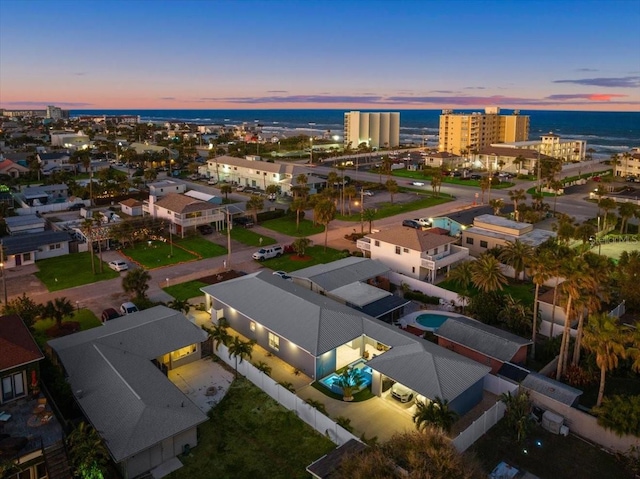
(480, 337)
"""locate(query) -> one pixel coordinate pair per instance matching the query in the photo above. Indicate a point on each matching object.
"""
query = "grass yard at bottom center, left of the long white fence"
(250, 435)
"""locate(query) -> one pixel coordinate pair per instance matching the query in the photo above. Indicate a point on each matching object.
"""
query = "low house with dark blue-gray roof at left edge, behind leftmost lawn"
(29, 248)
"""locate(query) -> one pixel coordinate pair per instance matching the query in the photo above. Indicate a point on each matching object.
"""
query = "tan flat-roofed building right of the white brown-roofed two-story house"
(490, 231)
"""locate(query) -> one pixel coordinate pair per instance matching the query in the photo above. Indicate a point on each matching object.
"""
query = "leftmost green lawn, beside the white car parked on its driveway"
(56, 274)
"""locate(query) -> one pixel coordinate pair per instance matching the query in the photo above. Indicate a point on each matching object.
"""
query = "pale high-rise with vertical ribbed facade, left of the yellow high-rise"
(374, 129)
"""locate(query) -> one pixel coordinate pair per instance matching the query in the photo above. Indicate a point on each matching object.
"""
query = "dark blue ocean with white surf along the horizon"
(605, 132)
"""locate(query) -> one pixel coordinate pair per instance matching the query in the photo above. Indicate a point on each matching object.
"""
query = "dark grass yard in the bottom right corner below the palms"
(557, 457)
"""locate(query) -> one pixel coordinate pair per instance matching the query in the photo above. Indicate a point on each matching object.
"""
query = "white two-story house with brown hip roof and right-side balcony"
(419, 254)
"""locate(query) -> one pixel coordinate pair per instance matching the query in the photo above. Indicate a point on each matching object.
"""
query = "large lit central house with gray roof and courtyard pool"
(318, 336)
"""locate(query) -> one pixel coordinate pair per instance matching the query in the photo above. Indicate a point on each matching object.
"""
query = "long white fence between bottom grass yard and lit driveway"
(314, 418)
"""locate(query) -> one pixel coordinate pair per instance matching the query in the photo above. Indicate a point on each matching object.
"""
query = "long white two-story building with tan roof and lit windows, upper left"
(254, 172)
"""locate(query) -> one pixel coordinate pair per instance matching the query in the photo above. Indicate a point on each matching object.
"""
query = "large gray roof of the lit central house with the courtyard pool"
(319, 324)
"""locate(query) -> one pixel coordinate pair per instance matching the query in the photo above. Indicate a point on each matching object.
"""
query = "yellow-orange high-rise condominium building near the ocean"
(466, 132)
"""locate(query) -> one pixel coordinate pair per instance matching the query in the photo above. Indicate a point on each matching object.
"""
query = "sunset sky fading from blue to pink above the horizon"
(347, 54)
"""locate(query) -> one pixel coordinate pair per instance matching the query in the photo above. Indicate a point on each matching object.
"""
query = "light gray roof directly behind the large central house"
(340, 273)
